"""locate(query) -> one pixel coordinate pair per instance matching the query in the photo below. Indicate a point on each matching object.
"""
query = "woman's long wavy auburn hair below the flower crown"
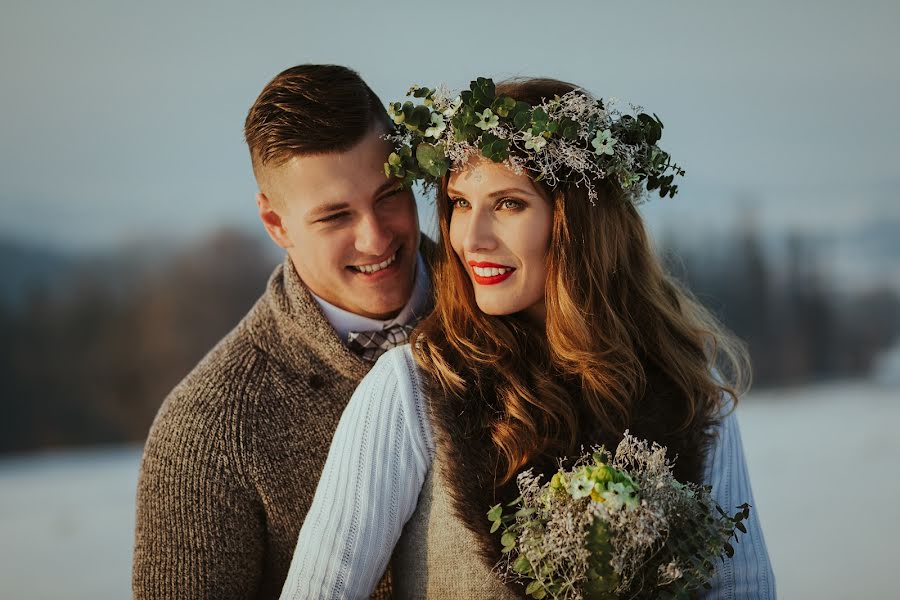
(611, 310)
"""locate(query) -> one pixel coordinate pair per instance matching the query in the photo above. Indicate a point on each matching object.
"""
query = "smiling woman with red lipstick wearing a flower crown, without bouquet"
(554, 328)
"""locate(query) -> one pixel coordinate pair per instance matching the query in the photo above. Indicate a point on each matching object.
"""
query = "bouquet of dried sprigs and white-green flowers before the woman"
(620, 527)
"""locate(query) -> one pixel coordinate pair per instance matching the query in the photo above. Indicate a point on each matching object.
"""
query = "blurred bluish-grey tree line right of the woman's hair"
(799, 325)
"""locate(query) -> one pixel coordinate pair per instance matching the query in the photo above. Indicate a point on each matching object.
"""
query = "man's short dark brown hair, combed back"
(310, 109)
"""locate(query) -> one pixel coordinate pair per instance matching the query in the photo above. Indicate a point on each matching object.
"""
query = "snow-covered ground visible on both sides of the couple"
(823, 462)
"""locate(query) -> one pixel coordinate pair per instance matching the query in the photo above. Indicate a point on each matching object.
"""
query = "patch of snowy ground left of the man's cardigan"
(66, 522)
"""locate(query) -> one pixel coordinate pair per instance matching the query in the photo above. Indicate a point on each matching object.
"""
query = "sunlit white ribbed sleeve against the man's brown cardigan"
(369, 488)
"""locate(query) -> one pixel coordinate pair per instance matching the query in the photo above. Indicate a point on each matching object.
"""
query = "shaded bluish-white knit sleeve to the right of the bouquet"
(748, 574)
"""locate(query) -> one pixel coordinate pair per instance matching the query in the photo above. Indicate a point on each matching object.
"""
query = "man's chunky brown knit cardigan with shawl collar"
(234, 454)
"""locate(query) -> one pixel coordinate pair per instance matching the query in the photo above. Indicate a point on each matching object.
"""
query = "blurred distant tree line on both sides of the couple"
(89, 359)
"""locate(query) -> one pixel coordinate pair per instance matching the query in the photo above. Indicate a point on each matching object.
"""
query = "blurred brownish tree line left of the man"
(91, 360)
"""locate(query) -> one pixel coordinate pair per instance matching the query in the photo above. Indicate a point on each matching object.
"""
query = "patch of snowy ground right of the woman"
(823, 462)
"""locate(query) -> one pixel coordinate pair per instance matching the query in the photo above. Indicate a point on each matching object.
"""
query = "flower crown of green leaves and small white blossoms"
(571, 138)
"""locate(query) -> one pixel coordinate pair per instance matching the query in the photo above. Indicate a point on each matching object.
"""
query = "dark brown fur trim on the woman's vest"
(470, 461)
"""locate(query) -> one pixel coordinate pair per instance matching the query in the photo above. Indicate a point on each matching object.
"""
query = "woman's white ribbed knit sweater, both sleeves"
(379, 457)
